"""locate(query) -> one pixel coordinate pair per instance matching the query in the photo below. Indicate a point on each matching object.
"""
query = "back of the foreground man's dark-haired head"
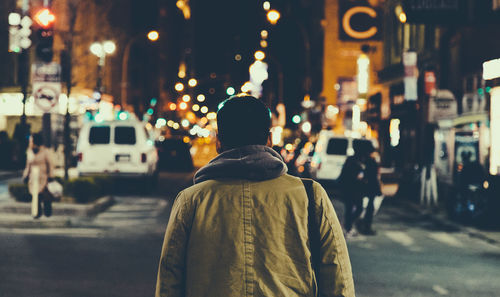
(243, 120)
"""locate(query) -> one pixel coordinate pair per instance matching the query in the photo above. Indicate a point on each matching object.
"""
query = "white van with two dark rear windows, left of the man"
(122, 148)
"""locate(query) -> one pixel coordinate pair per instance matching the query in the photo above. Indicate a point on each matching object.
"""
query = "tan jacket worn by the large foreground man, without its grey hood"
(240, 237)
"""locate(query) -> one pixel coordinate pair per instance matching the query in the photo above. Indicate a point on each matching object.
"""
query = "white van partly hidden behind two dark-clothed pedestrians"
(331, 152)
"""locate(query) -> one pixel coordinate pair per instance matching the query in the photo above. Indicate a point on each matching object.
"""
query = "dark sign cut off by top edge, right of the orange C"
(434, 11)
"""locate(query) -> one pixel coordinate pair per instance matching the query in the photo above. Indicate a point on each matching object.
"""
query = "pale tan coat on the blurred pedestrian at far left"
(42, 160)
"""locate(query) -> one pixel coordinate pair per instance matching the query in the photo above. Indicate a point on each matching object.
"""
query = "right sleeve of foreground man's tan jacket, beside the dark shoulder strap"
(335, 277)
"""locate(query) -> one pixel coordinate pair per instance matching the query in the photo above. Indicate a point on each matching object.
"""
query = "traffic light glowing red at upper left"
(45, 19)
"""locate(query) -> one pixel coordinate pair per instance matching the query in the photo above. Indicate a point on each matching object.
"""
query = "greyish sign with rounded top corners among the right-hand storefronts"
(442, 105)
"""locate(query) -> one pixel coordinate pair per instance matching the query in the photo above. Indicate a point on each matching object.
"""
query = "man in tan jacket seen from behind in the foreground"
(242, 228)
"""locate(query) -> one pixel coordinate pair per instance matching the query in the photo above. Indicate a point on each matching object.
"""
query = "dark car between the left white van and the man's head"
(174, 155)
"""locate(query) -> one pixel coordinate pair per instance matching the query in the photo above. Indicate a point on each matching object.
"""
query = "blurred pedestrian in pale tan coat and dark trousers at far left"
(37, 174)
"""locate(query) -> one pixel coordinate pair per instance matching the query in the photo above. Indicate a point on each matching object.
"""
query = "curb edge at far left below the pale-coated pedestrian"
(18, 214)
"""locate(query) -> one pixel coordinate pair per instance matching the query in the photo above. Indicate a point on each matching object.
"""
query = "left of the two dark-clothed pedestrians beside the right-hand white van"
(352, 184)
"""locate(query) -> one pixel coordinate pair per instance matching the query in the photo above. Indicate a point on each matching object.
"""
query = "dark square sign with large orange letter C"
(359, 21)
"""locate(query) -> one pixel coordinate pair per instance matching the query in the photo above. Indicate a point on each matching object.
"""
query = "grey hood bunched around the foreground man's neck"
(252, 162)
